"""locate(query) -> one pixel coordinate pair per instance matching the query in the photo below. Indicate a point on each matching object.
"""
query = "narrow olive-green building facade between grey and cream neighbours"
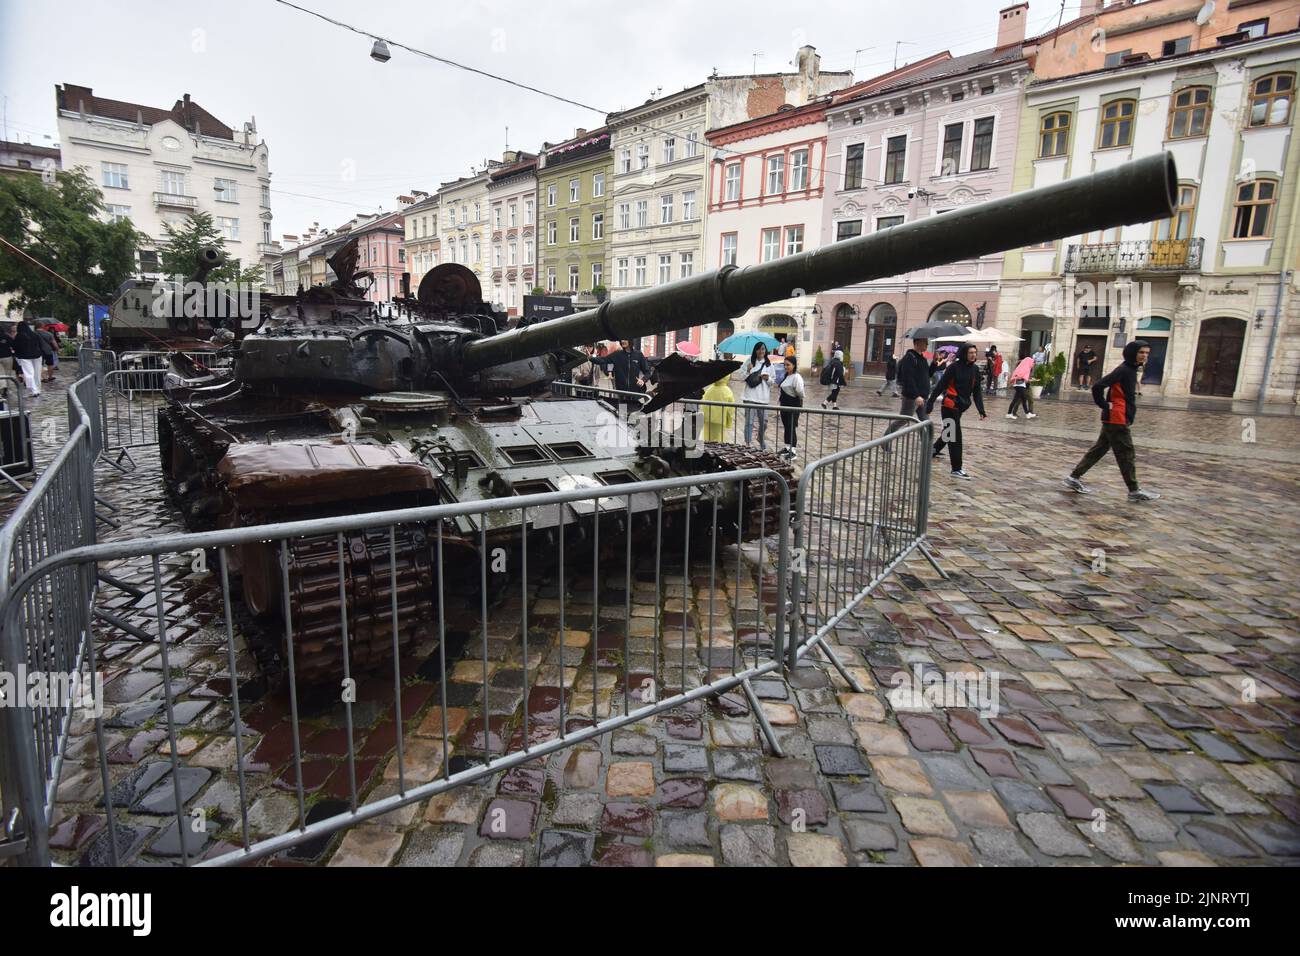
(573, 197)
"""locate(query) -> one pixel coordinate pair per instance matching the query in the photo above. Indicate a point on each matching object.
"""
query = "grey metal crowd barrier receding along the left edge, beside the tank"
(47, 633)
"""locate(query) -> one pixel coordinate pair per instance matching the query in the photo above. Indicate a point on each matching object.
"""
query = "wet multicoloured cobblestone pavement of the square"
(1147, 694)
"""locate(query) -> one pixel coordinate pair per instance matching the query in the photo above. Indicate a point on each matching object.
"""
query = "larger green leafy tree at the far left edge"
(59, 224)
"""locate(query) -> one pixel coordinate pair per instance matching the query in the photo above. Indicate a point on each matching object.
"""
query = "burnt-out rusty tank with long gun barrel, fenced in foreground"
(339, 408)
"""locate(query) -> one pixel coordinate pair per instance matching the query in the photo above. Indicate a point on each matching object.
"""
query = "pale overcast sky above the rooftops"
(348, 135)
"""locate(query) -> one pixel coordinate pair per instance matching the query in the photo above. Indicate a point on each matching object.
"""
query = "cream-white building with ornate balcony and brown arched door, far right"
(1214, 288)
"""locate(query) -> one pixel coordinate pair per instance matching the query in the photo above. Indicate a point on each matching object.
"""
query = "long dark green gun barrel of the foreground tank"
(1137, 192)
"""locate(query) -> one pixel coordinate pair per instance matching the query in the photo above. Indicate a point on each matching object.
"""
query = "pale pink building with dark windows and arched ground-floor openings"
(917, 142)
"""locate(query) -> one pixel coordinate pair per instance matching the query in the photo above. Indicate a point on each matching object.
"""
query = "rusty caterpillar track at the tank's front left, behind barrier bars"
(314, 599)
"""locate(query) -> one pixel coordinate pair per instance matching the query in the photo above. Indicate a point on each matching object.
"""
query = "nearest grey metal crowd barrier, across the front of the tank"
(631, 668)
